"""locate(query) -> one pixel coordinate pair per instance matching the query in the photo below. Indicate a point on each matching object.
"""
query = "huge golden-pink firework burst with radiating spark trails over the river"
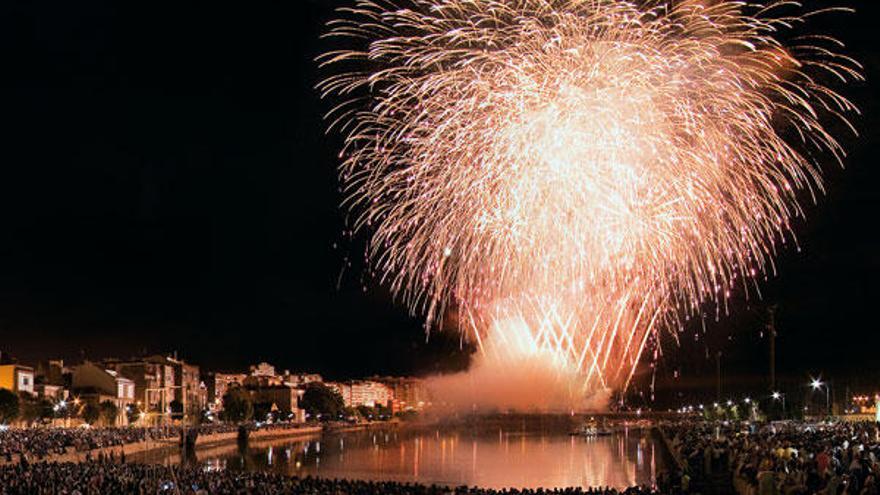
(576, 174)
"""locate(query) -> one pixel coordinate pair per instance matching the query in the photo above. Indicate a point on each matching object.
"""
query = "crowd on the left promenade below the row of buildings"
(40, 443)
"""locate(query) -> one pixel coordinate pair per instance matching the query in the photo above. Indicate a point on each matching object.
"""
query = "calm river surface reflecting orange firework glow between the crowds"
(495, 459)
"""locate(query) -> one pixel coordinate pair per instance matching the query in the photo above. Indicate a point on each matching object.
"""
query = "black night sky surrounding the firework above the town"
(165, 184)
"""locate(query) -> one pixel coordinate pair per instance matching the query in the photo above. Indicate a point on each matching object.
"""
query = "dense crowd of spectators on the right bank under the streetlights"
(782, 458)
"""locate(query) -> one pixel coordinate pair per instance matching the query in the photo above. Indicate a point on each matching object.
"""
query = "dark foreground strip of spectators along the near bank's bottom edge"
(110, 476)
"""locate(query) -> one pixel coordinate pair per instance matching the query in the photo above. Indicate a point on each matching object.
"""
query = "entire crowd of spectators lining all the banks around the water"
(778, 458)
